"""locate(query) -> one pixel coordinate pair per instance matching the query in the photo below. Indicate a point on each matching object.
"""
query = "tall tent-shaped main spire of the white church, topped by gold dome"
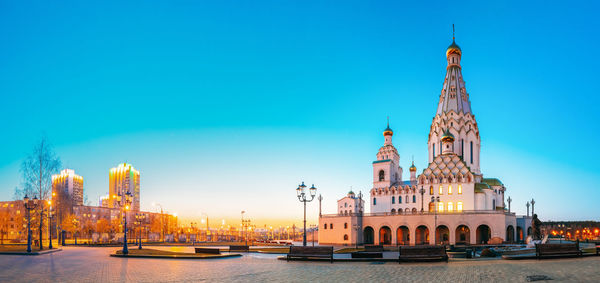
(454, 116)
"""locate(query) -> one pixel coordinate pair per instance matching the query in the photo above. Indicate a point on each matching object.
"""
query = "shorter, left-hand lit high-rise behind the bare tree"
(68, 186)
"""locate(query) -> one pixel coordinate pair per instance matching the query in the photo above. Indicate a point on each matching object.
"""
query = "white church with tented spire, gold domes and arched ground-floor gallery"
(449, 202)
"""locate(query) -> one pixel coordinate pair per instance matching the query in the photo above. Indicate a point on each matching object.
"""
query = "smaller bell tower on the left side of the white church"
(386, 169)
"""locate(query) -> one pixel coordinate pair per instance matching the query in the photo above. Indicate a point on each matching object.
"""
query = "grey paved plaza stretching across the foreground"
(79, 264)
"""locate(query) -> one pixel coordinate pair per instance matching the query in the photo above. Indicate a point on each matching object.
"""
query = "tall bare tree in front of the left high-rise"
(37, 170)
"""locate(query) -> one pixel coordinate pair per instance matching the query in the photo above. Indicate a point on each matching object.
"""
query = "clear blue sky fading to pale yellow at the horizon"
(226, 106)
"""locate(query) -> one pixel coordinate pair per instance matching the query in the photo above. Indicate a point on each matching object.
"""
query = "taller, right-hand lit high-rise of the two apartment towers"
(122, 179)
